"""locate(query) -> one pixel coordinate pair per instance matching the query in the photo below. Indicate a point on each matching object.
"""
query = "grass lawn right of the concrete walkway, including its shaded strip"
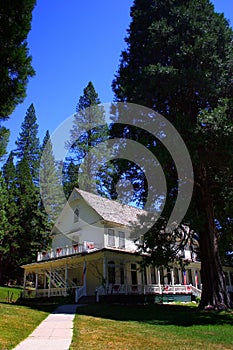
(160, 327)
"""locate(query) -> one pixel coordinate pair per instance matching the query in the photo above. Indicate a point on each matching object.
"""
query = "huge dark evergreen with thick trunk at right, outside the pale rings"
(179, 61)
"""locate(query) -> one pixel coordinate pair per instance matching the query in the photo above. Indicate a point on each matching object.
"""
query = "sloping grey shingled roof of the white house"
(110, 210)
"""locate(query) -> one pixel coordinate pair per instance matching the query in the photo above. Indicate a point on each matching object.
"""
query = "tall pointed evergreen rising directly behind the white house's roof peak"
(89, 129)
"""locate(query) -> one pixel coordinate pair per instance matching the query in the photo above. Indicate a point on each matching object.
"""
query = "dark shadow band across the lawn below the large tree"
(179, 315)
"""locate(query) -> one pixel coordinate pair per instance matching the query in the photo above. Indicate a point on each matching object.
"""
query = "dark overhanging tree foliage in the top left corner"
(15, 69)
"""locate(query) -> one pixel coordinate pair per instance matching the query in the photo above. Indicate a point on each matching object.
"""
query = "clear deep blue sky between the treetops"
(73, 42)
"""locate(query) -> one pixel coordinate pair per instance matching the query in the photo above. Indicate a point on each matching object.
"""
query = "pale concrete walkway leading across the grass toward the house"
(55, 332)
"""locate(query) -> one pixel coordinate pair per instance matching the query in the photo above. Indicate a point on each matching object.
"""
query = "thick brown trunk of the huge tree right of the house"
(214, 292)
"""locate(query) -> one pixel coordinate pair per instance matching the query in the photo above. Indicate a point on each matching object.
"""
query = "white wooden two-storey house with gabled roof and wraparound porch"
(93, 253)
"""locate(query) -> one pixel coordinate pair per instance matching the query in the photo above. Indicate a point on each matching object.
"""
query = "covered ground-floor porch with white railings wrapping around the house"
(106, 272)
